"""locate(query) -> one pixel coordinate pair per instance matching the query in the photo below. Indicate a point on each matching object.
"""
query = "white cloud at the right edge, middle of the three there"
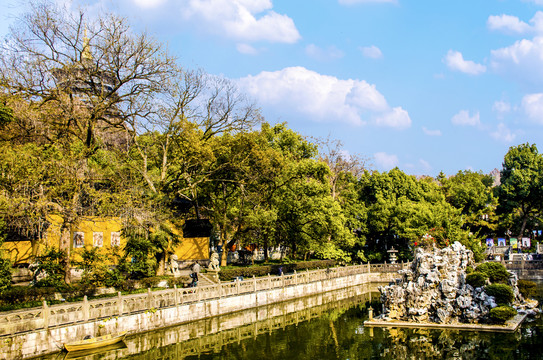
(522, 61)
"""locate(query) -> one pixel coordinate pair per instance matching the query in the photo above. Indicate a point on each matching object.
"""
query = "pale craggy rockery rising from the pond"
(434, 289)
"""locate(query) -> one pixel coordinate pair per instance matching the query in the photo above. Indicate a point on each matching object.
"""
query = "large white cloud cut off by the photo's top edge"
(238, 19)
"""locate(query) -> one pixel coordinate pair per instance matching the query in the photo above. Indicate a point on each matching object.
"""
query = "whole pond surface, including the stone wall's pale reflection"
(329, 330)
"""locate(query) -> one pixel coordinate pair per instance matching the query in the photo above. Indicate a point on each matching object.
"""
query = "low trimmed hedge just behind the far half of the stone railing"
(264, 270)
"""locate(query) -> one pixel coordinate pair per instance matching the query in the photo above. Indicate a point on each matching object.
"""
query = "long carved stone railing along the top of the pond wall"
(18, 321)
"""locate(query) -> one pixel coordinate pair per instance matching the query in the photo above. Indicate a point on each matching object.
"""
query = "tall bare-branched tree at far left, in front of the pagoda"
(74, 84)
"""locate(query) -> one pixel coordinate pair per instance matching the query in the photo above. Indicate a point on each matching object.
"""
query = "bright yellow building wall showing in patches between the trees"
(21, 251)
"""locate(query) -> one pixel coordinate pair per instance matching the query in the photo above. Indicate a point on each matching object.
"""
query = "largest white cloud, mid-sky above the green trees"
(323, 97)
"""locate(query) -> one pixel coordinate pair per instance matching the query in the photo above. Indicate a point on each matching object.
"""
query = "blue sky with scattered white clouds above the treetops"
(422, 85)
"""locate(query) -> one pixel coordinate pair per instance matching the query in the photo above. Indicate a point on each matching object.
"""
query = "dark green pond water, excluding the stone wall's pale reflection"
(340, 335)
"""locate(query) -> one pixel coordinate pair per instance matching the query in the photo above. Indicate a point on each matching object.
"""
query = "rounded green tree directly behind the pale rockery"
(402, 209)
